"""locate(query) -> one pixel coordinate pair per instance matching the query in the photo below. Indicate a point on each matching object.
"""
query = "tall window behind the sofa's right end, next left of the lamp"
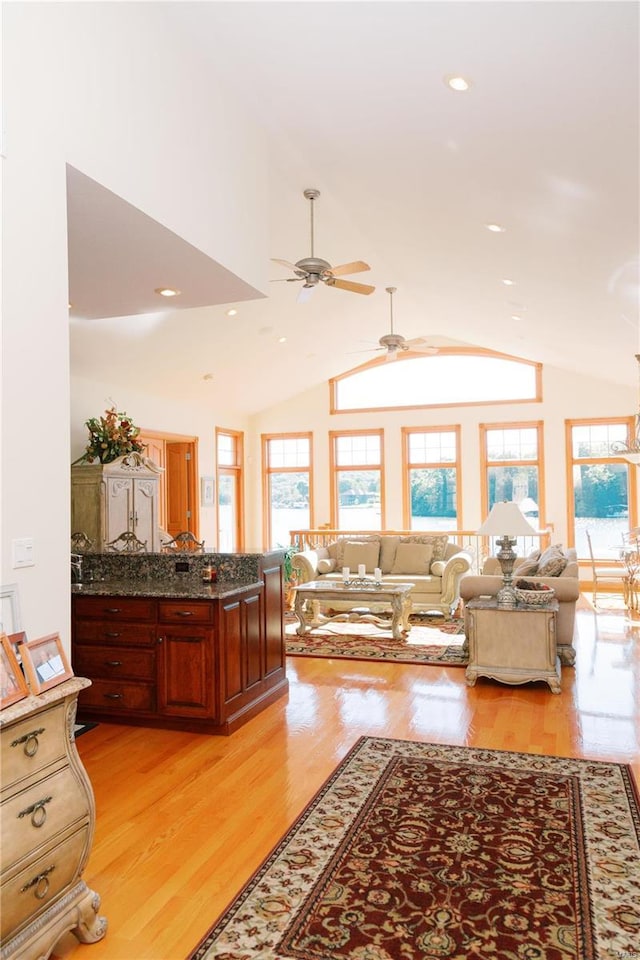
(431, 483)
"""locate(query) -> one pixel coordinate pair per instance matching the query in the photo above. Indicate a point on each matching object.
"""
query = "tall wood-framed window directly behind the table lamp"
(512, 469)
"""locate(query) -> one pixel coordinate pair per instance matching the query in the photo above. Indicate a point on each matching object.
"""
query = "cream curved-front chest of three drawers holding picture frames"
(47, 818)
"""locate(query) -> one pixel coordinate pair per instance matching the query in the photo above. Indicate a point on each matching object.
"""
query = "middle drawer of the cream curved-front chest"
(34, 816)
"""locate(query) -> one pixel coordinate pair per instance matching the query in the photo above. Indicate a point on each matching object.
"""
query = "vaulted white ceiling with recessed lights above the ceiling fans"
(353, 99)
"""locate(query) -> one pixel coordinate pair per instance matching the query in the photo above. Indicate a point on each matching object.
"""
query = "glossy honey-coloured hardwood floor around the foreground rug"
(185, 819)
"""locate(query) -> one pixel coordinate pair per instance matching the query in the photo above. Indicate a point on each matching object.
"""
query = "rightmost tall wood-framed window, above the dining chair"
(603, 487)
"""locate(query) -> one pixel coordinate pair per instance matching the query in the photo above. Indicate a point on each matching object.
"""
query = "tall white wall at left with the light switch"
(109, 89)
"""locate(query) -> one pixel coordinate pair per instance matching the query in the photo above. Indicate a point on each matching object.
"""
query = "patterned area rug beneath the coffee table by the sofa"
(430, 640)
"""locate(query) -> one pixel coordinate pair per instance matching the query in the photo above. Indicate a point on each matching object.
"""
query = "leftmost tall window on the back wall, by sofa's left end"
(287, 486)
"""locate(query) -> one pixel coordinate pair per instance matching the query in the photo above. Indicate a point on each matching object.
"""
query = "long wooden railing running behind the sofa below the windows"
(478, 547)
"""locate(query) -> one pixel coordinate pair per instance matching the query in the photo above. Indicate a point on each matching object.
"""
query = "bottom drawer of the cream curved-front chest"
(34, 888)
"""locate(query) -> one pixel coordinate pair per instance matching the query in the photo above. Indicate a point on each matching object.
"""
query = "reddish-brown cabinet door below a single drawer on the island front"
(186, 670)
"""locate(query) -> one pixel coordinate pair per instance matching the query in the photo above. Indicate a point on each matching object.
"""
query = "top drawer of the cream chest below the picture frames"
(31, 744)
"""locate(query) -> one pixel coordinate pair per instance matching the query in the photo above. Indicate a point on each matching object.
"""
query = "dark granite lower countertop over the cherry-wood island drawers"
(189, 589)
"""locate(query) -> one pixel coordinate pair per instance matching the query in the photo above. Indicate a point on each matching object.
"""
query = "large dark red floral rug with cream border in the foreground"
(417, 851)
